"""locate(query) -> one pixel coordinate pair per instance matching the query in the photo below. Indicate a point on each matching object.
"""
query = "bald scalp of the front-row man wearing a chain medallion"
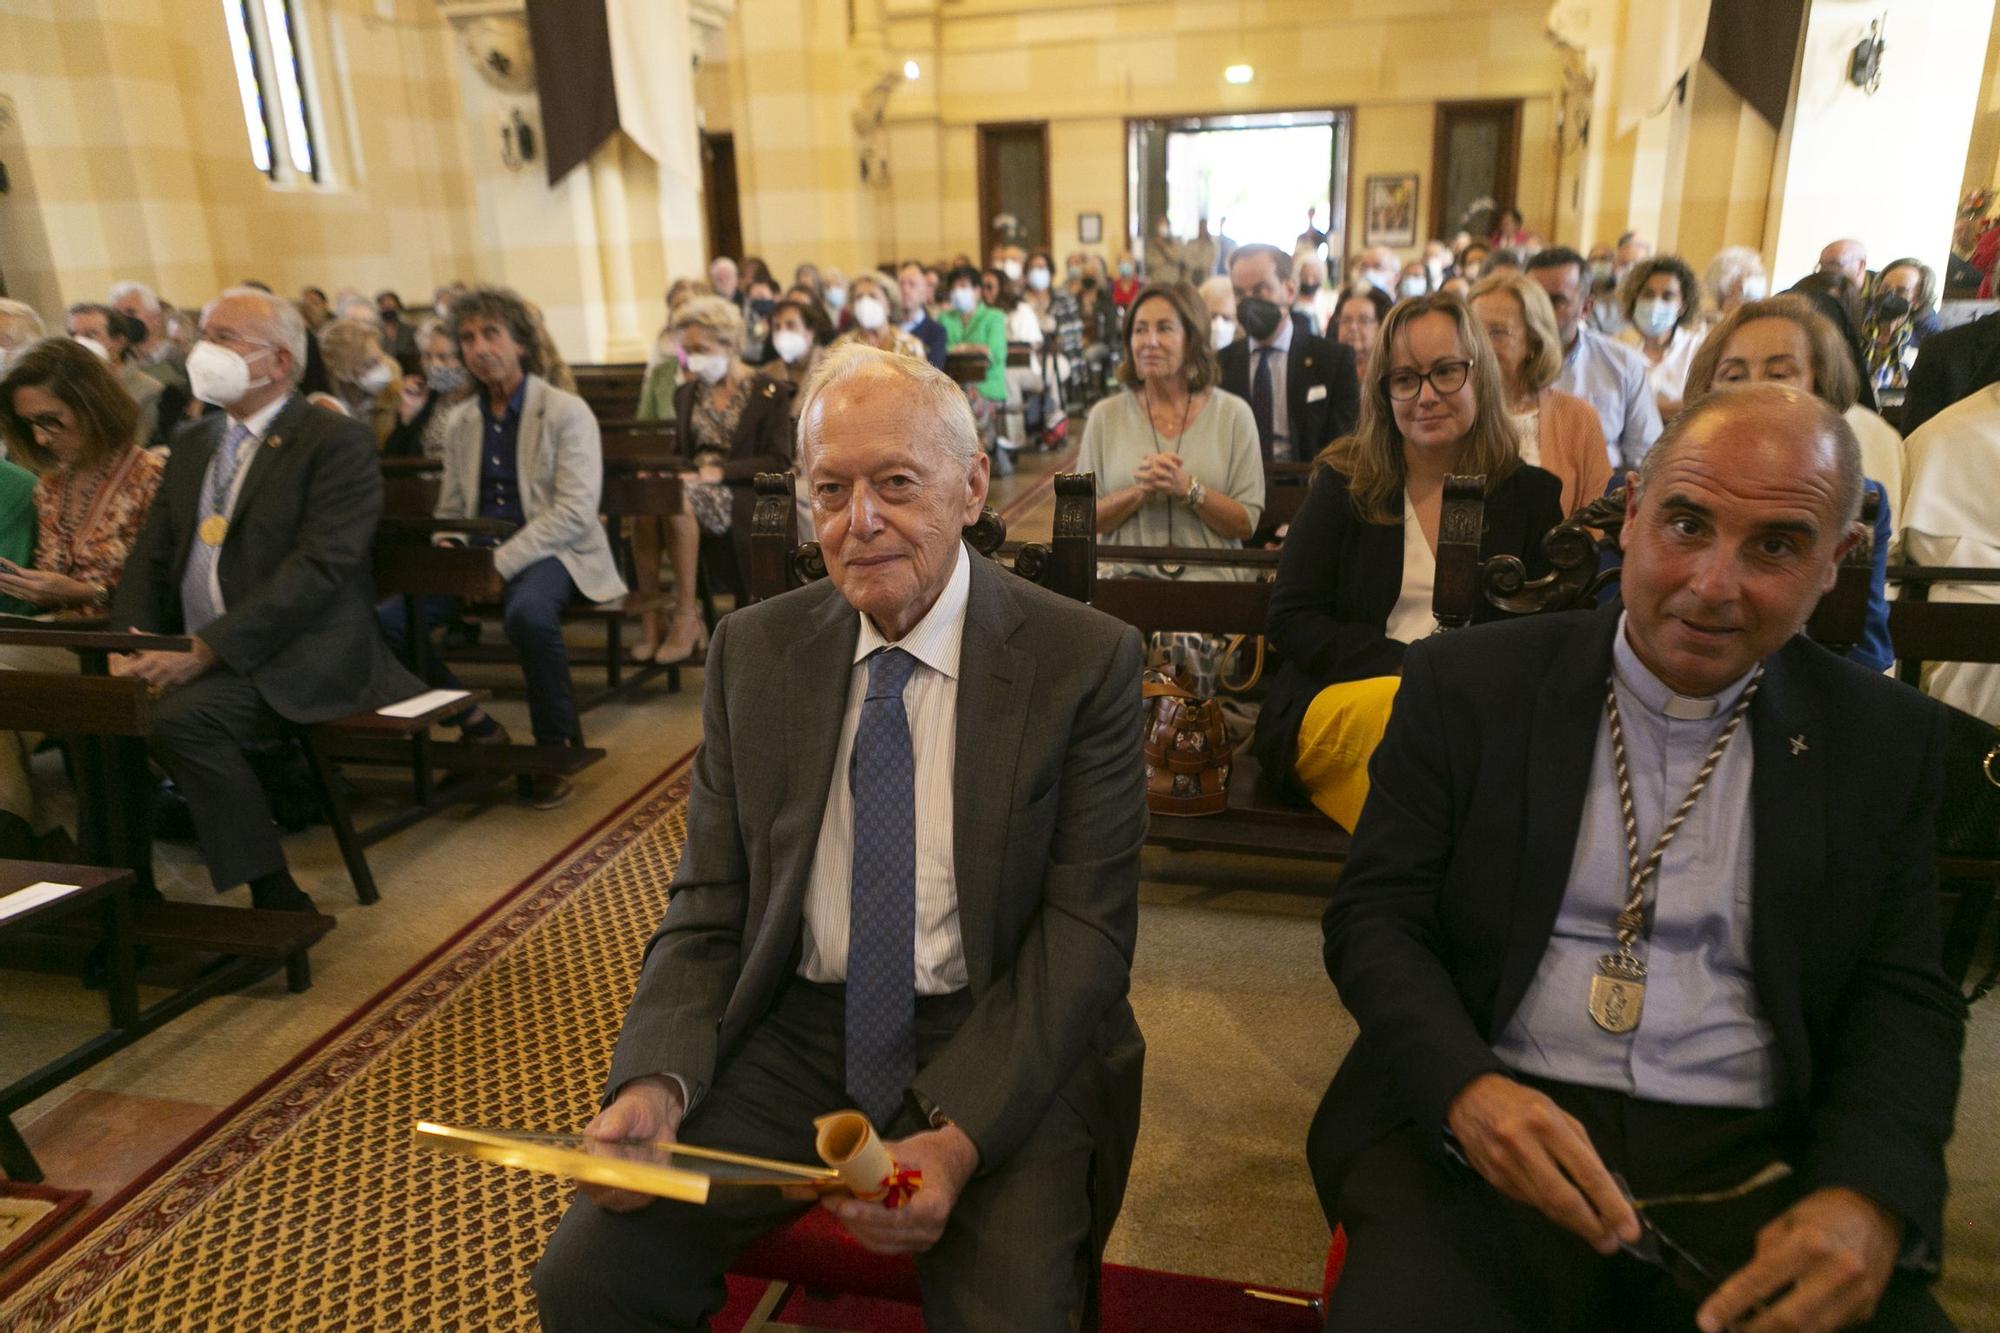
(1775, 421)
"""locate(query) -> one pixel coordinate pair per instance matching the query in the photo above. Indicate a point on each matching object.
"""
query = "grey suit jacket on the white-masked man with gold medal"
(295, 569)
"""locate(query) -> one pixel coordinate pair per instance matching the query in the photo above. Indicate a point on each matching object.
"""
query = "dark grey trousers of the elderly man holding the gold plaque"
(1013, 1256)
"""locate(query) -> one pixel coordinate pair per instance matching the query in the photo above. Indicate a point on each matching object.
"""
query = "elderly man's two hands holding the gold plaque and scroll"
(651, 1110)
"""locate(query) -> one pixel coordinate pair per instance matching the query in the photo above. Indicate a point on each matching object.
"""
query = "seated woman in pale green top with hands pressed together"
(1177, 459)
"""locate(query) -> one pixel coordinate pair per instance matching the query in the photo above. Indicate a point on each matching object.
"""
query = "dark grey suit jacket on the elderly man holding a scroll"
(1049, 812)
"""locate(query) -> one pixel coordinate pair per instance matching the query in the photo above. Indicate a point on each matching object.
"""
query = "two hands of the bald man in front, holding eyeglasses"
(1821, 1264)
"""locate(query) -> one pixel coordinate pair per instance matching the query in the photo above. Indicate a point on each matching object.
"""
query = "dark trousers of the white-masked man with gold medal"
(199, 736)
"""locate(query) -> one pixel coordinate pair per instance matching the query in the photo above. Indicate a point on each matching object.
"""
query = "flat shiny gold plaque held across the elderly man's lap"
(667, 1170)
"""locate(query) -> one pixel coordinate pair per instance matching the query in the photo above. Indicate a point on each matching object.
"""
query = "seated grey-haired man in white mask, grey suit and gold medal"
(257, 545)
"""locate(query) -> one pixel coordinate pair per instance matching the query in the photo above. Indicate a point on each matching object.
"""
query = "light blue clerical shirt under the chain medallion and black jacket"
(1703, 1038)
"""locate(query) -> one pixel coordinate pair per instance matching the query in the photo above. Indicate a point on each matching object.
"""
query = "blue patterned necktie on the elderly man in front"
(881, 1016)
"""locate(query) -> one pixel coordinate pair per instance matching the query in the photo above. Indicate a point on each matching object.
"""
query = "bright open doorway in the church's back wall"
(1251, 177)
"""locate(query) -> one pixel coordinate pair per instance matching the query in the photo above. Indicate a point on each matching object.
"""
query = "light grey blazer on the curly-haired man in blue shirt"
(561, 463)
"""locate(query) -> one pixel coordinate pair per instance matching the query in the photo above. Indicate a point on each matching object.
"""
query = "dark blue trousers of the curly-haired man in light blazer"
(531, 609)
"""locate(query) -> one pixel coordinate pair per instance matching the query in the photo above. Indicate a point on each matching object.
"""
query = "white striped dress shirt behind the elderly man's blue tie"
(931, 702)
